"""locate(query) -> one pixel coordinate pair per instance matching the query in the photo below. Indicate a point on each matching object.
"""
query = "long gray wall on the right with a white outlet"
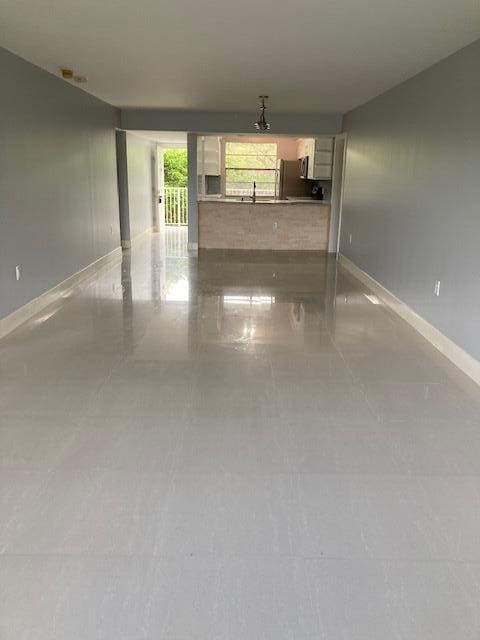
(412, 194)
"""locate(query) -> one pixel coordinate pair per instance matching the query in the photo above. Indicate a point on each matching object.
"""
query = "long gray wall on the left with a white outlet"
(58, 183)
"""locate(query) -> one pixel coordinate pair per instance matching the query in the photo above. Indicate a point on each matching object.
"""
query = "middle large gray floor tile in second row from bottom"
(248, 514)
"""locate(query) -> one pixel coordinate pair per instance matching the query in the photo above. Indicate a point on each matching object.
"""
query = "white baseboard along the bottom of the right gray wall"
(460, 358)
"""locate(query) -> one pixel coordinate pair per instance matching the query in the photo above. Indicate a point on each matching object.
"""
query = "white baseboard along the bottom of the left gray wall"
(62, 290)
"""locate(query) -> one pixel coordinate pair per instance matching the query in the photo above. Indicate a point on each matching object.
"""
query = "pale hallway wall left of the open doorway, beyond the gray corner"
(140, 184)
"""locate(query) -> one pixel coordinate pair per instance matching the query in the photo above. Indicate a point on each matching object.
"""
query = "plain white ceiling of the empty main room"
(308, 55)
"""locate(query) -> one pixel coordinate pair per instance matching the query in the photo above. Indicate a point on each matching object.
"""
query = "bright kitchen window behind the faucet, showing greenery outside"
(249, 162)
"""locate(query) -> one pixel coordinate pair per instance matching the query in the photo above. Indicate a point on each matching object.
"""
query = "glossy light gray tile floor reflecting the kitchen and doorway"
(242, 448)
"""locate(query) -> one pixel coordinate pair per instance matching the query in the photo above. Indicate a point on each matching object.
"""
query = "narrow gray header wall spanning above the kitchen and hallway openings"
(221, 122)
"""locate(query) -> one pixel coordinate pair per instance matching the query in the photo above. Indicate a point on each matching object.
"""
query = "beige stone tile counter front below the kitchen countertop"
(263, 225)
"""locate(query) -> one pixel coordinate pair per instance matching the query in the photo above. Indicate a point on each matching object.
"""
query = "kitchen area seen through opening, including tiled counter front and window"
(264, 192)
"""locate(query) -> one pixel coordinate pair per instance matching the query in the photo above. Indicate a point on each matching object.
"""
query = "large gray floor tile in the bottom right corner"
(374, 600)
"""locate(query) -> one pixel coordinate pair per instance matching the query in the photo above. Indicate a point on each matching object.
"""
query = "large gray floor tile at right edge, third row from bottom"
(418, 447)
